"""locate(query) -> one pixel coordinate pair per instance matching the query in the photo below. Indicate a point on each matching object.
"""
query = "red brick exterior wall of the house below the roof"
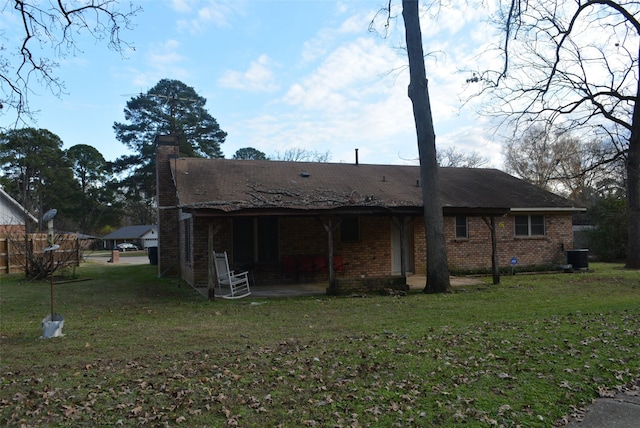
(371, 256)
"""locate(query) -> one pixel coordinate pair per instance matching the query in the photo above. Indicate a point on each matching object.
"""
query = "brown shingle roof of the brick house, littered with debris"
(231, 185)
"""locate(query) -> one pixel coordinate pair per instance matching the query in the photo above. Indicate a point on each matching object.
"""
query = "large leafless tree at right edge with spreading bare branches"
(575, 66)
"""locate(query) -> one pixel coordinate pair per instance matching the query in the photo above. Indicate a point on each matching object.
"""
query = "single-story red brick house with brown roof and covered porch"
(284, 221)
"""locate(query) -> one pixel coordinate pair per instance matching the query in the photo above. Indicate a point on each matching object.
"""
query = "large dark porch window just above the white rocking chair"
(255, 239)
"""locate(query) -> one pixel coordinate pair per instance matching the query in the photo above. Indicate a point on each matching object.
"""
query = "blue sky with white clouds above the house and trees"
(279, 75)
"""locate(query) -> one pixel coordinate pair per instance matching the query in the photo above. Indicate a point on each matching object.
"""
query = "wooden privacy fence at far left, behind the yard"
(14, 249)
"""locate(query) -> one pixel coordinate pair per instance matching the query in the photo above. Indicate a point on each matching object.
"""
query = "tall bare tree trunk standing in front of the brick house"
(437, 266)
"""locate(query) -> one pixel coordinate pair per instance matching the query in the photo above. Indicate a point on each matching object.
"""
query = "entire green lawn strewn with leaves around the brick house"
(139, 350)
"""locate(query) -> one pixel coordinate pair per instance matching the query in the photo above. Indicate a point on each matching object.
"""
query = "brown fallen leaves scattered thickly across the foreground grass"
(473, 376)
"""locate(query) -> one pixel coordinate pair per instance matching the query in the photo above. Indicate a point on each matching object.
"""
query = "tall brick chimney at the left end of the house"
(168, 212)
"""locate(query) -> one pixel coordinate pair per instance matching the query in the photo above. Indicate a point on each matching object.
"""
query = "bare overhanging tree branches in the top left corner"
(55, 28)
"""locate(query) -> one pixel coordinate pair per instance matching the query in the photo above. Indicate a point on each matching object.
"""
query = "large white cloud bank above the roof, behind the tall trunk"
(356, 97)
